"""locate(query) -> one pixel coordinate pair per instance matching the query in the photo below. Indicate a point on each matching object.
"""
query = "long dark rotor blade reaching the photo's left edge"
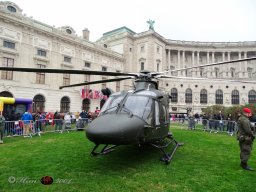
(82, 72)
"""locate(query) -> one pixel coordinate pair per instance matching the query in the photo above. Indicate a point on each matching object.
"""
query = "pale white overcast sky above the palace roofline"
(190, 20)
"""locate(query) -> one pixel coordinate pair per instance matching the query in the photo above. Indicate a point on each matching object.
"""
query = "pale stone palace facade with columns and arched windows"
(26, 42)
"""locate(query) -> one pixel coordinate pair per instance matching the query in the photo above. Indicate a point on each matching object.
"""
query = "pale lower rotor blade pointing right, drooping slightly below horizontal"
(204, 78)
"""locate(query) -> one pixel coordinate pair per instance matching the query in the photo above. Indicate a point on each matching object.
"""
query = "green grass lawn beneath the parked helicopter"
(206, 162)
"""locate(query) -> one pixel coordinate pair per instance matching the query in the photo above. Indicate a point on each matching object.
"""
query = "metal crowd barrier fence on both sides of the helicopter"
(21, 128)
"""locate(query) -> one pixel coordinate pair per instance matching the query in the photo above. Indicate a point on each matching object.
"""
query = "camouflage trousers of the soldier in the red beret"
(245, 149)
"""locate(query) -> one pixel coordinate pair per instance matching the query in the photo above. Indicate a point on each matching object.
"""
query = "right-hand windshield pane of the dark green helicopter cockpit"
(140, 106)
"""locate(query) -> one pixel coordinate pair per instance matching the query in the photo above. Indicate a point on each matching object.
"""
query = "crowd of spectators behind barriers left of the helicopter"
(27, 124)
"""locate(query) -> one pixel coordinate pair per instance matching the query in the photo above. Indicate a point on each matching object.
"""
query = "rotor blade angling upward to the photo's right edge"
(207, 65)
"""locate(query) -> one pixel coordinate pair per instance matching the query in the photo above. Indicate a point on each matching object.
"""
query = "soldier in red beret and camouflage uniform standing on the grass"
(245, 137)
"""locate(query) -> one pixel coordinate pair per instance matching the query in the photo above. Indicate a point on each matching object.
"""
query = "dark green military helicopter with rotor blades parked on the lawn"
(135, 117)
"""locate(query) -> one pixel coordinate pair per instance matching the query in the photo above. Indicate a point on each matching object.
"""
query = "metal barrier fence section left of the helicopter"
(23, 128)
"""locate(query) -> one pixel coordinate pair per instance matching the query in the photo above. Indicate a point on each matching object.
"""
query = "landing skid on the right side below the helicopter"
(167, 157)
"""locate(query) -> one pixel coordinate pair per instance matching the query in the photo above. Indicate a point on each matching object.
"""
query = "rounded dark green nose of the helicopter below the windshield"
(117, 129)
